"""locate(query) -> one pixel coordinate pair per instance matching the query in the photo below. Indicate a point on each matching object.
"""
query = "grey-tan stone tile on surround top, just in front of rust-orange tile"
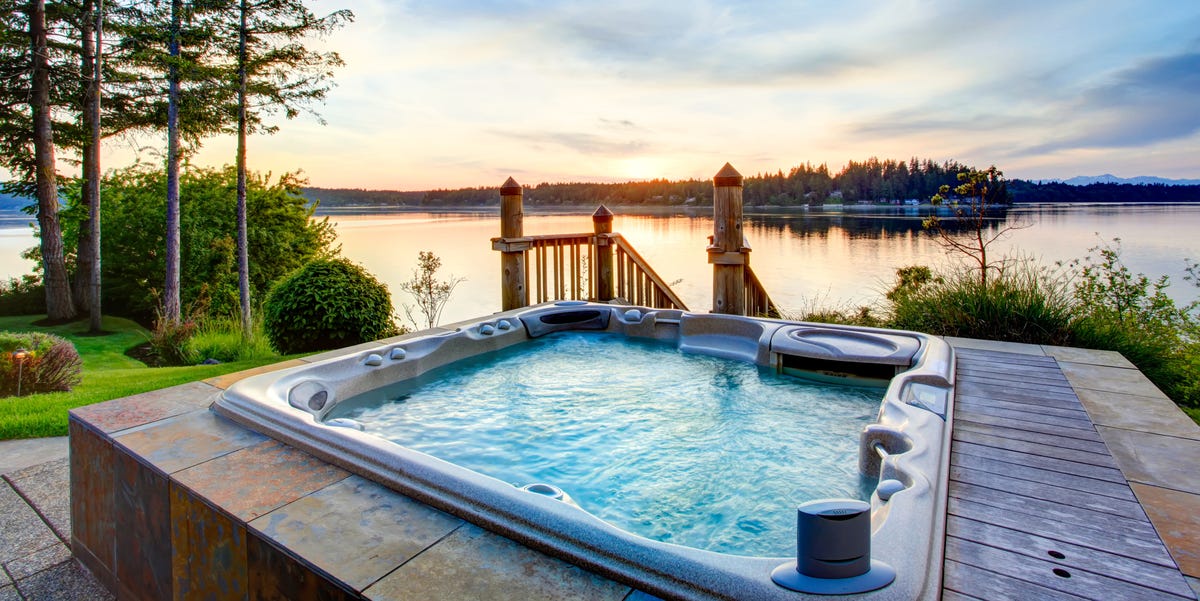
(376, 530)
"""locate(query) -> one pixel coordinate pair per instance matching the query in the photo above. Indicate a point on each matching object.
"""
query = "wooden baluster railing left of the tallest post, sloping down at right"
(565, 267)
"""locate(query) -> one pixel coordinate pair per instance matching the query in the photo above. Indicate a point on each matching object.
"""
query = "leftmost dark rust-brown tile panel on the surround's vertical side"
(93, 480)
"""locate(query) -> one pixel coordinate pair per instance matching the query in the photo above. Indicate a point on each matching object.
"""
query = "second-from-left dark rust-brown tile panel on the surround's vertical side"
(142, 513)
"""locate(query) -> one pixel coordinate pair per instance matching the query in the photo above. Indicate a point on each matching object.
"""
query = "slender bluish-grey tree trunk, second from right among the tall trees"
(171, 310)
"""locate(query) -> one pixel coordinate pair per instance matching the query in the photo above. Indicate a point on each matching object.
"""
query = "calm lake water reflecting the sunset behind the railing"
(805, 259)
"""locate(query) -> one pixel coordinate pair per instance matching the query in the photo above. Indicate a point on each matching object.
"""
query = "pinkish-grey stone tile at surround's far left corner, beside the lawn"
(125, 413)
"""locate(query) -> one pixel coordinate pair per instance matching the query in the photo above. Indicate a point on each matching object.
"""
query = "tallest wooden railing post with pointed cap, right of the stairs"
(727, 253)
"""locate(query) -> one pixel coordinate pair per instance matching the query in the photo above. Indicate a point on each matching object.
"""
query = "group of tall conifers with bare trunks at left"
(79, 73)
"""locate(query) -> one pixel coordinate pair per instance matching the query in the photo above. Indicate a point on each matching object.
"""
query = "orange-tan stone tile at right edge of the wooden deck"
(1177, 516)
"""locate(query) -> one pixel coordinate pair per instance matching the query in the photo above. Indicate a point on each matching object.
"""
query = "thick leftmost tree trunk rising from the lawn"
(58, 287)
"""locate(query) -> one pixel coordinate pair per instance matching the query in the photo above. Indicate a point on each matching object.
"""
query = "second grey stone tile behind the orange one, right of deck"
(1155, 414)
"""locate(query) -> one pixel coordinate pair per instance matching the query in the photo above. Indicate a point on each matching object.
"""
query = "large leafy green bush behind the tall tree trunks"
(283, 237)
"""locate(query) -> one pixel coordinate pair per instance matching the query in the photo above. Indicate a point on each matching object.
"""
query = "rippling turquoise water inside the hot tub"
(683, 449)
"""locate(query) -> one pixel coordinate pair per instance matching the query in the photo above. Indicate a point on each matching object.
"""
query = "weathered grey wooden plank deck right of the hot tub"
(1039, 507)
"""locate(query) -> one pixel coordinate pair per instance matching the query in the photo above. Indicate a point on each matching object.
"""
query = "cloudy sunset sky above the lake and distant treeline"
(451, 94)
